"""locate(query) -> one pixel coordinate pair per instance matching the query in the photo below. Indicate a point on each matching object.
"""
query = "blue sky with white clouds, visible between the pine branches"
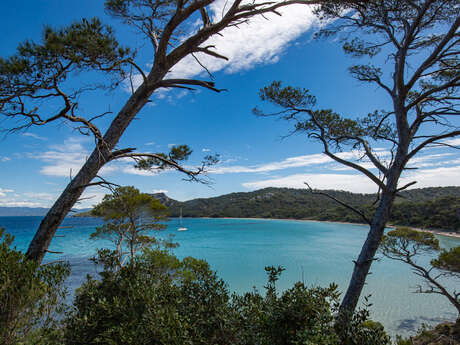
(35, 165)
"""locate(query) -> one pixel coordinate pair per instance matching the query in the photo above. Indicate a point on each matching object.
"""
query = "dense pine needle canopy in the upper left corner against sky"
(37, 67)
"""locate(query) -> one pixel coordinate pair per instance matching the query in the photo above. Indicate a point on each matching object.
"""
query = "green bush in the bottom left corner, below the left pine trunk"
(31, 297)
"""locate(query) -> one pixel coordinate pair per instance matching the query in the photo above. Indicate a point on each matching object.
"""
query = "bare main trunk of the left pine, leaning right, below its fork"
(100, 156)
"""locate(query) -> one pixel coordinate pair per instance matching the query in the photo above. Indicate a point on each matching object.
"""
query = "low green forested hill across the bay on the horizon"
(435, 207)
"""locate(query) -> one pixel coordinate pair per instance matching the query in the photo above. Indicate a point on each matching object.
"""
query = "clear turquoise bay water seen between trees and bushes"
(239, 249)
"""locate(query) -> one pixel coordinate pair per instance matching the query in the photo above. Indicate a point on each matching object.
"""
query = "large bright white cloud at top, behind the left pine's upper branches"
(260, 41)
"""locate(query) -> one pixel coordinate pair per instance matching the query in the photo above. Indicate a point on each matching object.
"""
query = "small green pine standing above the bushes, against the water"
(129, 215)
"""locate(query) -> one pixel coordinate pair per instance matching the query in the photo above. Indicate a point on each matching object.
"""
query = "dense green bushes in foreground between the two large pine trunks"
(163, 300)
